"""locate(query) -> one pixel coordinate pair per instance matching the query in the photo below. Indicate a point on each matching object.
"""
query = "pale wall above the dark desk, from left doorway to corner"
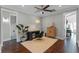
(27, 20)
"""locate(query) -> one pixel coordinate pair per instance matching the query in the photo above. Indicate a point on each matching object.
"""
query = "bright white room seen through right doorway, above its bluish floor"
(71, 26)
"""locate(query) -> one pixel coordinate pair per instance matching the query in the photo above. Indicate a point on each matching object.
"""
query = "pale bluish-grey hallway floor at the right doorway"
(70, 44)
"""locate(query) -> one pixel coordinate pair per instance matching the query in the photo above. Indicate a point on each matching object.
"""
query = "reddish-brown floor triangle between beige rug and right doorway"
(58, 47)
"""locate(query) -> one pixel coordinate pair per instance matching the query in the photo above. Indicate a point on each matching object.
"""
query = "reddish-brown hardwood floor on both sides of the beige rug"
(13, 47)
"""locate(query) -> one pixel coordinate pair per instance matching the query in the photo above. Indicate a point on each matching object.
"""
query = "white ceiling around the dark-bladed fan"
(29, 9)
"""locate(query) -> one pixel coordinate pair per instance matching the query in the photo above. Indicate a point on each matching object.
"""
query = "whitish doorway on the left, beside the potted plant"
(8, 25)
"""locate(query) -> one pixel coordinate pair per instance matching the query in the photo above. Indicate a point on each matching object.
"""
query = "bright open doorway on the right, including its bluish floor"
(70, 32)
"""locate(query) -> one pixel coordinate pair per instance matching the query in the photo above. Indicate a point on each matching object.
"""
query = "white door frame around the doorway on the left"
(11, 12)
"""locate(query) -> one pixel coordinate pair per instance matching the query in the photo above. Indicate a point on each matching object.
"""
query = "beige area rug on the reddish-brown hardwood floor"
(39, 46)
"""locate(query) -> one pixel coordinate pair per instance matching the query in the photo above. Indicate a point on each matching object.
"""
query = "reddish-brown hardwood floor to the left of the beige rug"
(13, 47)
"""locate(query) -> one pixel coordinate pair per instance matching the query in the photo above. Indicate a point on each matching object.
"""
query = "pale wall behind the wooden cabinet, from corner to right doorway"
(58, 19)
